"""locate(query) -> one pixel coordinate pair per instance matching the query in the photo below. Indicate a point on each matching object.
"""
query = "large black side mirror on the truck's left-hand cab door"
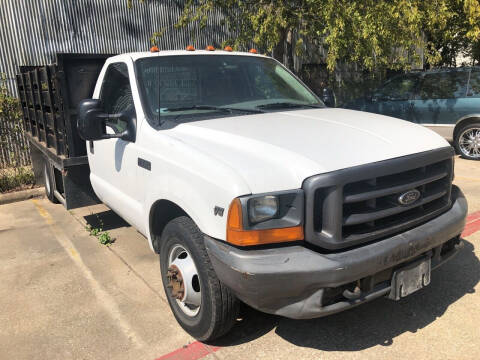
(92, 121)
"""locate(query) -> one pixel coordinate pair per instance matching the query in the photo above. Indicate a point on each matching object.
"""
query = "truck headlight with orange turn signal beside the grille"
(266, 219)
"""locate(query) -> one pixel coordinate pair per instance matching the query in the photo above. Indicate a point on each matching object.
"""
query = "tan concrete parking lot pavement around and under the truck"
(63, 295)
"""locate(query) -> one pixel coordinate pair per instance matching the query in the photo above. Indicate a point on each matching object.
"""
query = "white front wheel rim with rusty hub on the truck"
(183, 281)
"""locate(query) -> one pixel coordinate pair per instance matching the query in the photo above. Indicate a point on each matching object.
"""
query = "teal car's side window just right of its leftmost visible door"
(444, 85)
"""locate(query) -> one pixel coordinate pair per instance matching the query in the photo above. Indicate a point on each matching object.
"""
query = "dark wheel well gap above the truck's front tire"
(161, 213)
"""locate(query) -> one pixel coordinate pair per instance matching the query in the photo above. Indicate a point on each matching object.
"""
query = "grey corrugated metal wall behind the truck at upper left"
(32, 31)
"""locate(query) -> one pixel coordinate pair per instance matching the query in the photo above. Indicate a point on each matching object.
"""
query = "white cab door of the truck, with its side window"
(113, 162)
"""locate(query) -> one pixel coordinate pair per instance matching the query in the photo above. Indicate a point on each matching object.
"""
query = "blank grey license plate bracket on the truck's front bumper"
(410, 278)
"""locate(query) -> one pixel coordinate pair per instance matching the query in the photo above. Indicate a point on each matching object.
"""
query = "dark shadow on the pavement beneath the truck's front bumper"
(374, 323)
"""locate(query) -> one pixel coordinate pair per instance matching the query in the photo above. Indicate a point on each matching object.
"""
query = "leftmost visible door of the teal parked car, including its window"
(394, 98)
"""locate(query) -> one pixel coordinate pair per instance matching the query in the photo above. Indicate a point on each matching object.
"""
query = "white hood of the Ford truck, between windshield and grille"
(279, 150)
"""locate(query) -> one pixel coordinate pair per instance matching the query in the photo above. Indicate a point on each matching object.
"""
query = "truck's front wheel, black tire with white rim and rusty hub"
(202, 305)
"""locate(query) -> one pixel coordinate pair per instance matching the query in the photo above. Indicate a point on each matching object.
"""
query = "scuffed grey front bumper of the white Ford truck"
(294, 281)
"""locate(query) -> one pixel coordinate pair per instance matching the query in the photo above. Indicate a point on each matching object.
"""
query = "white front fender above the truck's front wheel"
(195, 182)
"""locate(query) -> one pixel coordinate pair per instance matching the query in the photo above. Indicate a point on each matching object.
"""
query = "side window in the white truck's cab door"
(116, 93)
